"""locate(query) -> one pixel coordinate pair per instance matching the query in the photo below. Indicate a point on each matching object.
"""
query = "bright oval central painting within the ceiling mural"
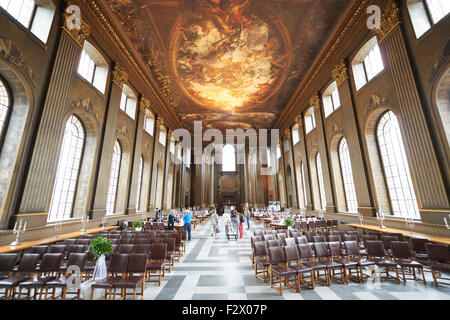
(225, 59)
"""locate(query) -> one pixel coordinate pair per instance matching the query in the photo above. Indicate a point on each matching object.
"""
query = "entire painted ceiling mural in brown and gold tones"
(228, 63)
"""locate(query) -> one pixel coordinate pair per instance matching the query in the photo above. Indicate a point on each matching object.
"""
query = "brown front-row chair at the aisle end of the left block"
(137, 264)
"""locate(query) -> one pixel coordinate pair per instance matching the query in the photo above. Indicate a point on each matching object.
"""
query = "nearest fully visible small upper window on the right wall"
(367, 63)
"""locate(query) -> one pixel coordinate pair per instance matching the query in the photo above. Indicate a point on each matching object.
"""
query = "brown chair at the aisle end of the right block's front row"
(278, 270)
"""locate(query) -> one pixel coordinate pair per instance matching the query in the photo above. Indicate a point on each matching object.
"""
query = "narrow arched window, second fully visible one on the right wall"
(347, 176)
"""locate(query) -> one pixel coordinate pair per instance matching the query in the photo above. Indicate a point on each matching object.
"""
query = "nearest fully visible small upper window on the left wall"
(93, 67)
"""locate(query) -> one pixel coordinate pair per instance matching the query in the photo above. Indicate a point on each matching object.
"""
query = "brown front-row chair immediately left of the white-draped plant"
(75, 259)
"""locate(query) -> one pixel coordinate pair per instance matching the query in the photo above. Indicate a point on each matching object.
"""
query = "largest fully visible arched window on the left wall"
(67, 173)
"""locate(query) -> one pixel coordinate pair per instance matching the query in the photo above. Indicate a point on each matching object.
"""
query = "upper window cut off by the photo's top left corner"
(37, 18)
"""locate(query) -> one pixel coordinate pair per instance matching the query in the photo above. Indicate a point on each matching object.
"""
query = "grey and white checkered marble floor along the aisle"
(214, 268)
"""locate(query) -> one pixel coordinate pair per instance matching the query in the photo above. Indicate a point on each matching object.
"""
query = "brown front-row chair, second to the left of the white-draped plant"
(49, 270)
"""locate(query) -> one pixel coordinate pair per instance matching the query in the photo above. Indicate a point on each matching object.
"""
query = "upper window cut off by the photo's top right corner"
(425, 13)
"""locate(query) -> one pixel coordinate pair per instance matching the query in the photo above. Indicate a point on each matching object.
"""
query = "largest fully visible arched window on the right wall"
(395, 165)
